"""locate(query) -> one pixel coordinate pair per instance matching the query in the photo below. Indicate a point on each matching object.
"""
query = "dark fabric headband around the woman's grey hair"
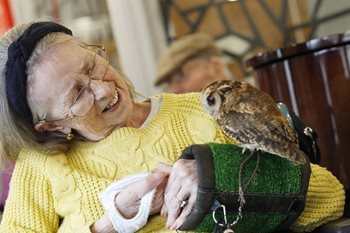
(19, 52)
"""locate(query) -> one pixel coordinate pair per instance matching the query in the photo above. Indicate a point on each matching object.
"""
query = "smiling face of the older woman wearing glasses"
(76, 89)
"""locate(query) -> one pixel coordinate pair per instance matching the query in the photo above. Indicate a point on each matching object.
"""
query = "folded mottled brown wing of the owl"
(256, 113)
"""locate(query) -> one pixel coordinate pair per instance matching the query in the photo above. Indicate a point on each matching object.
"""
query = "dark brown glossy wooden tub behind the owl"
(313, 78)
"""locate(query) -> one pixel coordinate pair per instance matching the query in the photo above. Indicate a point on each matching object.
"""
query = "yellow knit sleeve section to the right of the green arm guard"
(325, 200)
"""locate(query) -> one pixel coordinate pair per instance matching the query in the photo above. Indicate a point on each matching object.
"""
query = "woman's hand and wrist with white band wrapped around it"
(128, 201)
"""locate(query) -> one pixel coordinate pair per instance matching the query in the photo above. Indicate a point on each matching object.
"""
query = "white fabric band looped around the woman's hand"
(121, 224)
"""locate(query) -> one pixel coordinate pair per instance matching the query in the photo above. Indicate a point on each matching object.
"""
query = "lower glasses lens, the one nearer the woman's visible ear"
(83, 104)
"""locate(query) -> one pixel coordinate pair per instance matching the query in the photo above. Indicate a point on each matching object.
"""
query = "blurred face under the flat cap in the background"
(194, 75)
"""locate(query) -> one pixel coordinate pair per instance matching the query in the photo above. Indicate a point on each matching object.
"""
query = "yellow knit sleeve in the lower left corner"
(29, 207)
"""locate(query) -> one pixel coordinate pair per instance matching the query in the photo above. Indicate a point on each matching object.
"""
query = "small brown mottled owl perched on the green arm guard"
(251, 117)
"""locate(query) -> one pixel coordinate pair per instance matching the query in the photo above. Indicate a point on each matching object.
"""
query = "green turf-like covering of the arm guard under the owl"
(275, 176)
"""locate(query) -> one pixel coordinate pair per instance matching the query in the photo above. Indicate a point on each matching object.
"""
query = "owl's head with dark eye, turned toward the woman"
(214, 95)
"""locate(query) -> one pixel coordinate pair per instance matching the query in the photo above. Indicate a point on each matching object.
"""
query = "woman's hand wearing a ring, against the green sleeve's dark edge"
(182, 186)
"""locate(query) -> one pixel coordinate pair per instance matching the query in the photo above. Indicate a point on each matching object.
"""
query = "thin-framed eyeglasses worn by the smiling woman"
(97, 70)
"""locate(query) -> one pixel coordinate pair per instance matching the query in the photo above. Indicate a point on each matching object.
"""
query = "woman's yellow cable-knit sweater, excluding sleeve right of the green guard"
(45, 188)
